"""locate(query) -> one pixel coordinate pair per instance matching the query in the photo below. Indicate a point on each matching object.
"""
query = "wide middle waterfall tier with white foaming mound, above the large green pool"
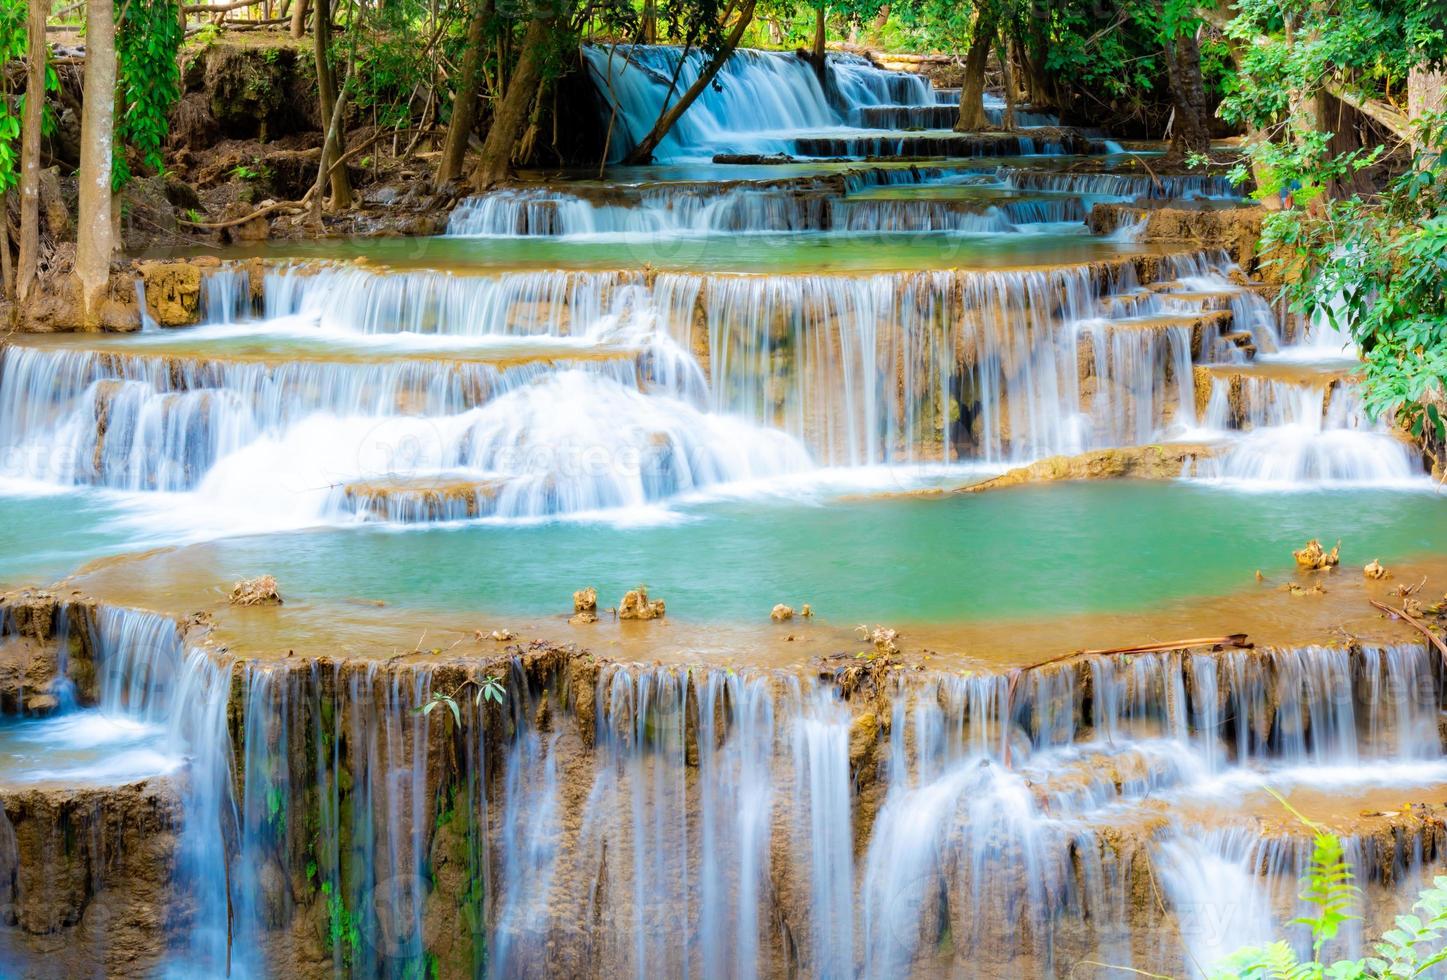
(611, 390)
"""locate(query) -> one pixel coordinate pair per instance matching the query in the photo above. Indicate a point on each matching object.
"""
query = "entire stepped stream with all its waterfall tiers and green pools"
(742, 384)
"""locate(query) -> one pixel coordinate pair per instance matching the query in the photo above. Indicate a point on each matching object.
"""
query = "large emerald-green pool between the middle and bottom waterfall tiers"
(1072, 548)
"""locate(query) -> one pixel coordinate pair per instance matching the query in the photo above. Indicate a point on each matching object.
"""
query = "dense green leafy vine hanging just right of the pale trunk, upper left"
(150, 79)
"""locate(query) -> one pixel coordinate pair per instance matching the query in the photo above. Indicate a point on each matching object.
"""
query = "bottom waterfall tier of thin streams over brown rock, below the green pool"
(620, 820)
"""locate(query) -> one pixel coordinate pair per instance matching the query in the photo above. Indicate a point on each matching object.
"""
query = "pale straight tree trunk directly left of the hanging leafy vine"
(95, 240)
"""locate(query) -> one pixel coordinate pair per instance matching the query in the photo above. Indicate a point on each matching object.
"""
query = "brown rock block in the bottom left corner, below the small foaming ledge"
(86, 879)
